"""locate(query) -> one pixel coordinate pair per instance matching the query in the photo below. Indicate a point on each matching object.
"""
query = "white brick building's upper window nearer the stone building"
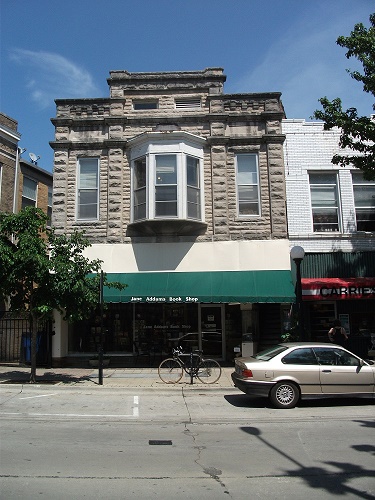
(324, 202)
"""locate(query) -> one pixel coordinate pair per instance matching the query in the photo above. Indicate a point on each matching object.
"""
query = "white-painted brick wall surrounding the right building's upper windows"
(309, 148)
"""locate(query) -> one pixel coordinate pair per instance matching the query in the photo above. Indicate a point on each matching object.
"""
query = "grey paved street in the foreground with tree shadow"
(82, 441)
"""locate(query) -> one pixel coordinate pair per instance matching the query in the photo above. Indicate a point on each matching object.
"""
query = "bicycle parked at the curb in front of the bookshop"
(193, 364)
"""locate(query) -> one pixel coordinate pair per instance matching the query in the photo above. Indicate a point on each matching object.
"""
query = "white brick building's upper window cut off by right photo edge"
(364, 200)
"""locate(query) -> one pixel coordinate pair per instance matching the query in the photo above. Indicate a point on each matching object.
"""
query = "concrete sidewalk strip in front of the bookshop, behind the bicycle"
(112, 378)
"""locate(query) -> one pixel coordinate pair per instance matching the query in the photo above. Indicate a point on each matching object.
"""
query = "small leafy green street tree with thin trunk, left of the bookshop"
(41, 272)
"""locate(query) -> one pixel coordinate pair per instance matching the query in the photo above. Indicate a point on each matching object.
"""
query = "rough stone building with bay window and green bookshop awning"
(172, 179)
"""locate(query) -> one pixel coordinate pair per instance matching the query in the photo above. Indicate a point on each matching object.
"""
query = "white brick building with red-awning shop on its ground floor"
(331, 214)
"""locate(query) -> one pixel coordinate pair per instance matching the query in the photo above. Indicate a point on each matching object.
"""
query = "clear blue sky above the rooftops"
(65, 49)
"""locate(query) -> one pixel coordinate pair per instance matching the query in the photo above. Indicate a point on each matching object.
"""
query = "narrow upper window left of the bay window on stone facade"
(88, 189)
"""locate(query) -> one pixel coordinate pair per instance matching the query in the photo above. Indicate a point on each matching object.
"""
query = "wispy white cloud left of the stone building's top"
(51, 76)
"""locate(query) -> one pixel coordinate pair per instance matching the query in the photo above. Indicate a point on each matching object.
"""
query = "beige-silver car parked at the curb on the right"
(285, 373)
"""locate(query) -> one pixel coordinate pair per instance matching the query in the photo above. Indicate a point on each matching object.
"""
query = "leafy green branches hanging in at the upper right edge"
(357, 132)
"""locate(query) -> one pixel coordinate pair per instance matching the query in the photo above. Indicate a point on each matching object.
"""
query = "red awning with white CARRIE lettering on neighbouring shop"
(338, 288)
